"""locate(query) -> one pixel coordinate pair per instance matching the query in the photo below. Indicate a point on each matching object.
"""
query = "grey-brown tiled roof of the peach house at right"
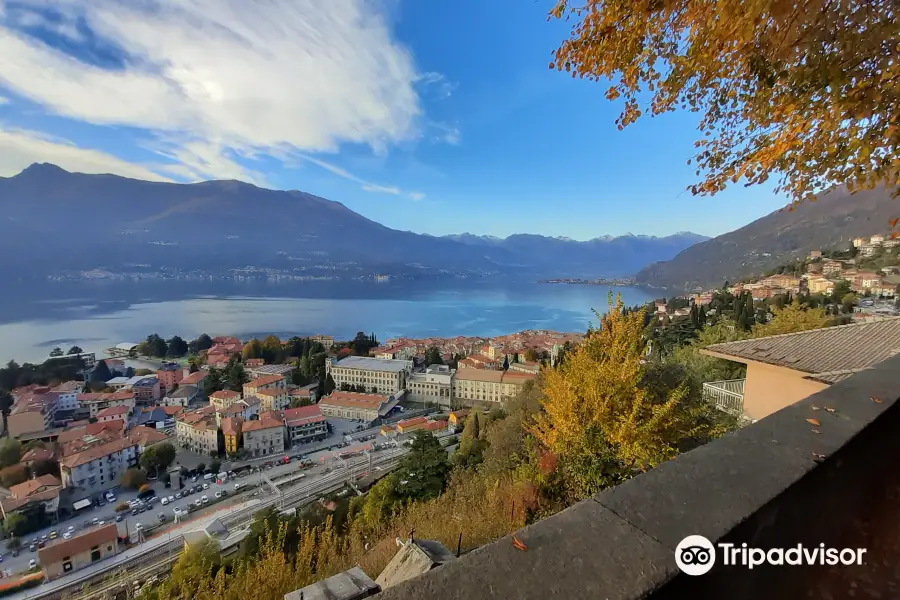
(826, 354)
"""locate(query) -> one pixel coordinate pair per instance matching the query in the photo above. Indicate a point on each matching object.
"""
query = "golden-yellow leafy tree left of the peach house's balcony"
(597, 416)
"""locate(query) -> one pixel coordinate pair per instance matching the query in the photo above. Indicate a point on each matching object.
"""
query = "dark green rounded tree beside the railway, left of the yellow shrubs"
(424, 469)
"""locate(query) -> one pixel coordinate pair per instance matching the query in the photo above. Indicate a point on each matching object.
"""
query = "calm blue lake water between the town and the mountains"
(97, 315)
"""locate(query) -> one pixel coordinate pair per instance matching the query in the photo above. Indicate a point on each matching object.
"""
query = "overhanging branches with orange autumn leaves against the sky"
(809, 89)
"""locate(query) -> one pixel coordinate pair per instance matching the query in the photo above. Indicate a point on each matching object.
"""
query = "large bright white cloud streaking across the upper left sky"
(226, 78)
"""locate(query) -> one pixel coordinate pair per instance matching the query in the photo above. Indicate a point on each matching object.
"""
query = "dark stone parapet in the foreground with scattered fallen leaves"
(775, 483)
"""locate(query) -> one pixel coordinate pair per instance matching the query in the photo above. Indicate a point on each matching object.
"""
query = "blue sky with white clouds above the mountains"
(436, 117)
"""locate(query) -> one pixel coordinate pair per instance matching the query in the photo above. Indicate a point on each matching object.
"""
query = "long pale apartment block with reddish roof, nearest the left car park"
(98, 467)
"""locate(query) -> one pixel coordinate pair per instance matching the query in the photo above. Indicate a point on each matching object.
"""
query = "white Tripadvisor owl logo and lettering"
(696, 555)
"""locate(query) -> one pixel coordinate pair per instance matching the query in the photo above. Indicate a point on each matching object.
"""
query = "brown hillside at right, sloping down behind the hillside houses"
(831, 221)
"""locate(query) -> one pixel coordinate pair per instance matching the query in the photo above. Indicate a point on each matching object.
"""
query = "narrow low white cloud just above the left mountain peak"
(19, 148)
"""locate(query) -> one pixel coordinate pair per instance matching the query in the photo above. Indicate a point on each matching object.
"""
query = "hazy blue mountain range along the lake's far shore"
(53, 222)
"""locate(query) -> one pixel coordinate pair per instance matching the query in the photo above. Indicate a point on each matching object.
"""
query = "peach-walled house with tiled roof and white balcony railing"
(783, 369)
